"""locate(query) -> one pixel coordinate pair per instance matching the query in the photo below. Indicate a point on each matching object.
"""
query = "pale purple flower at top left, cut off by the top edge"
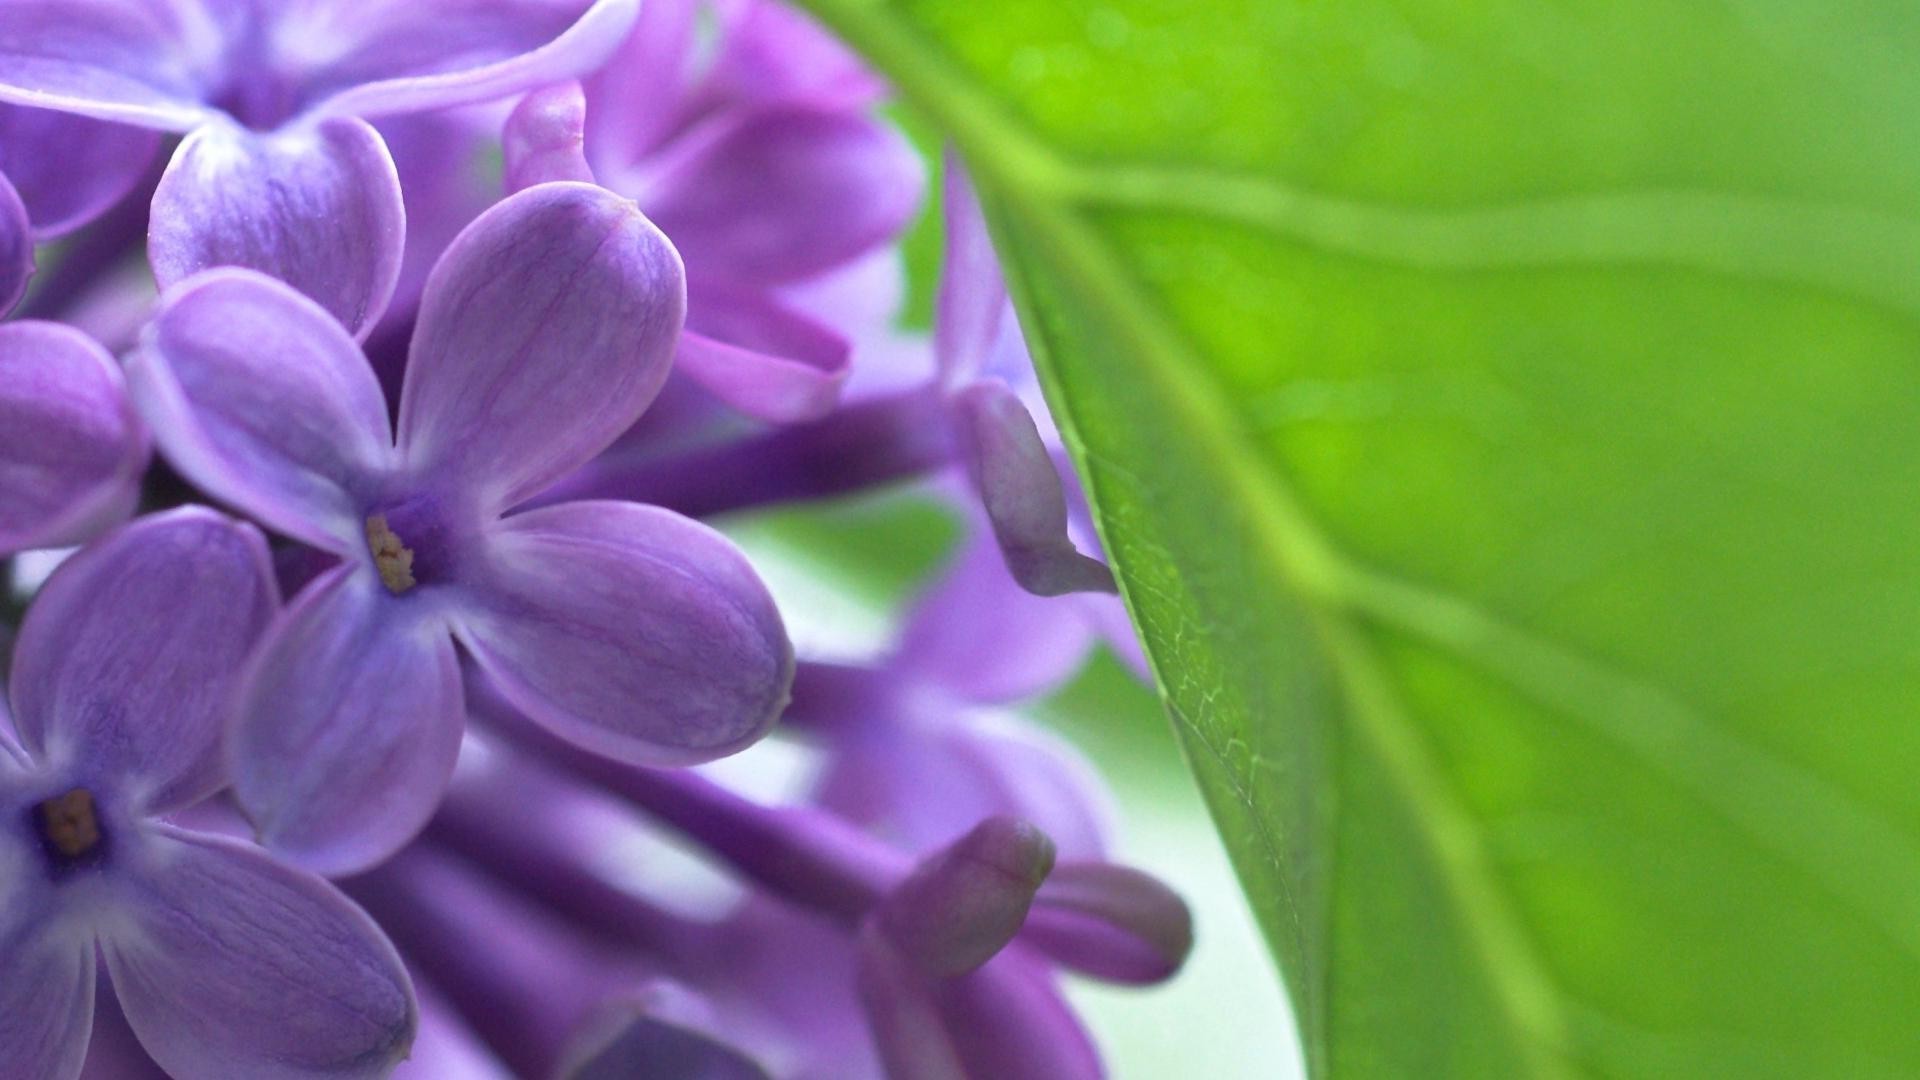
(279, 170)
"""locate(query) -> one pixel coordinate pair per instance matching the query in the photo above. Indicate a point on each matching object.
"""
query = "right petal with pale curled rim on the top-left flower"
(450, 53)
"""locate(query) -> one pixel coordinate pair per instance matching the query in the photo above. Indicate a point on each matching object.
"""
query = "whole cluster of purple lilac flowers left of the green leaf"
(370, 770)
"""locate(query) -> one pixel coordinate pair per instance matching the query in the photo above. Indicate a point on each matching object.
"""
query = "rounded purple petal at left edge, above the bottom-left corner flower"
(72, 449)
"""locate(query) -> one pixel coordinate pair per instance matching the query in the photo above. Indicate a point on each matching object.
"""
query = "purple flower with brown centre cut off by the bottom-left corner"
(226, 962)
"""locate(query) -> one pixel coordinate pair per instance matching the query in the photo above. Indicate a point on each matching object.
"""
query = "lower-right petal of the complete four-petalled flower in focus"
(631, 631)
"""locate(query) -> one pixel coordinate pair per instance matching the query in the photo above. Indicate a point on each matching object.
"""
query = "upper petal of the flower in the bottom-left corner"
(130, 656)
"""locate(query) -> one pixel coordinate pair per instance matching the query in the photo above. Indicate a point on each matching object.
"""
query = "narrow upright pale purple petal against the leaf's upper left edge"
(972, 310)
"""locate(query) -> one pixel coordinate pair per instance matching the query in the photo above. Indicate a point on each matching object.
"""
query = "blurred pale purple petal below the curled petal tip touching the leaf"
(984, 639)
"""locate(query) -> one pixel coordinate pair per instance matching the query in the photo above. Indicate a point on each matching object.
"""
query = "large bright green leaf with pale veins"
(1502, 420)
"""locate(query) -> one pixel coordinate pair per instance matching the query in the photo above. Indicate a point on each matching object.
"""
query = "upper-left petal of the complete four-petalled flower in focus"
(260, 399)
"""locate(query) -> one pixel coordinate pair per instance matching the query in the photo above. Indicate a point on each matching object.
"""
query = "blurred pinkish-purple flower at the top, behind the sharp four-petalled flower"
(763, 164)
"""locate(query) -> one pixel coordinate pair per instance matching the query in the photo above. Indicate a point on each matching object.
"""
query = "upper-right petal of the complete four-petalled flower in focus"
(544, 333)
